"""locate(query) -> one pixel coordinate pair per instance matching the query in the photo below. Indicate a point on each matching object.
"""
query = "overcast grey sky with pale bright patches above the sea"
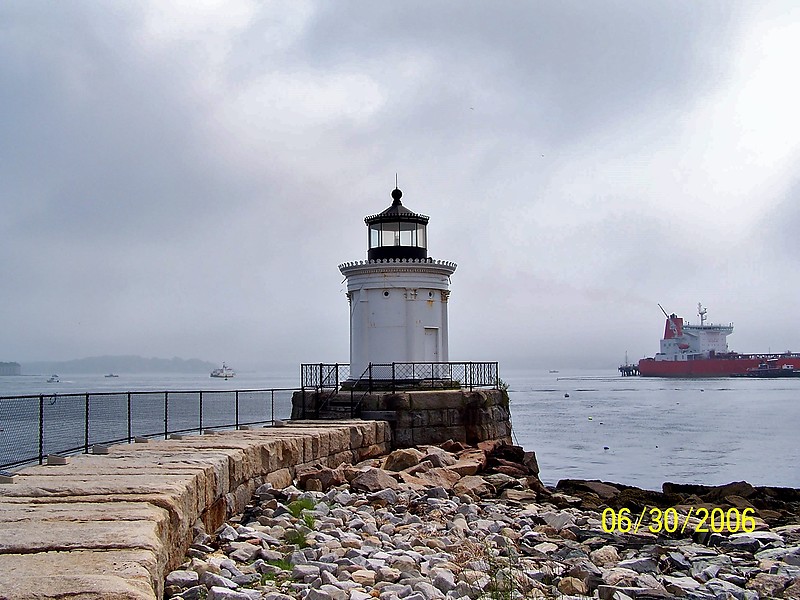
(183, 178)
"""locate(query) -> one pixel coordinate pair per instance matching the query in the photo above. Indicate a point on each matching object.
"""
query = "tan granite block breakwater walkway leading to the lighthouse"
(109, 526)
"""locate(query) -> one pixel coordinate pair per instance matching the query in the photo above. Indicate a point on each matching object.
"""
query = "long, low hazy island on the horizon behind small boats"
(119, 364)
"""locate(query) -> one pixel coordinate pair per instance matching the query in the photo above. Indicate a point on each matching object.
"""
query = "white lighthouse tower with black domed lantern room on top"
(398, 296)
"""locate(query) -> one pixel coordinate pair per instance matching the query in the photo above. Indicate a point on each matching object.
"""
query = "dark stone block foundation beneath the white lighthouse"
(427, 417)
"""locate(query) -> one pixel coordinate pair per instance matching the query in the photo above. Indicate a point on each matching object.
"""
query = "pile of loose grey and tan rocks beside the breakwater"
(450, 522)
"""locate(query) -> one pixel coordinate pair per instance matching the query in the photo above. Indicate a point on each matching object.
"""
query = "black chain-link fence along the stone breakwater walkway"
(31, 427)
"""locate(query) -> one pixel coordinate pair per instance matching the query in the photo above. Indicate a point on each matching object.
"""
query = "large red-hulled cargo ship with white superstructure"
(702, 351)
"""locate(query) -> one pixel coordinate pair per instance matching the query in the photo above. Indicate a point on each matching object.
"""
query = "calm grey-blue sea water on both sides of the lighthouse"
(588, 425)
